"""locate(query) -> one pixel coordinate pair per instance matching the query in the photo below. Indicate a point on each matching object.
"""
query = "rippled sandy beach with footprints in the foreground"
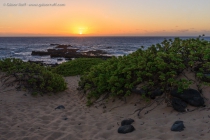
(24, 117)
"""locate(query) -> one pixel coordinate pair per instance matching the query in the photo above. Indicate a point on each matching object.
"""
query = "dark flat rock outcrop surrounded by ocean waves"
(67, 51)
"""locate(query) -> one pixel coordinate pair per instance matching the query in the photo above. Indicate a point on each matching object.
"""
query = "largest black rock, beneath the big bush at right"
(190, 96)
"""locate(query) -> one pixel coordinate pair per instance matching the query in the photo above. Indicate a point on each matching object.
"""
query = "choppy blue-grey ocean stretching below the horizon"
(21, 47)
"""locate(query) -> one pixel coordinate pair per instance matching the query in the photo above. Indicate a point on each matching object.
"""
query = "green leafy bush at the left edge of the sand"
(34, 77)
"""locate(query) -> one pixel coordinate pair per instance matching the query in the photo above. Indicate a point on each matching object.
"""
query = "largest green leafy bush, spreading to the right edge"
(155, 67)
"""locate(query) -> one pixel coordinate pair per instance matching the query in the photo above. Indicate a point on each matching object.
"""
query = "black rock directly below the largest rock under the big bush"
(178, 105)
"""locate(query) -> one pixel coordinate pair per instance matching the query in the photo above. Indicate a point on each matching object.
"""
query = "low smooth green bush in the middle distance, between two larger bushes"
(77, 66)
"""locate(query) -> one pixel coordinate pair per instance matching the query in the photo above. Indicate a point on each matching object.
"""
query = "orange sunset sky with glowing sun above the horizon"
(105, 18)
